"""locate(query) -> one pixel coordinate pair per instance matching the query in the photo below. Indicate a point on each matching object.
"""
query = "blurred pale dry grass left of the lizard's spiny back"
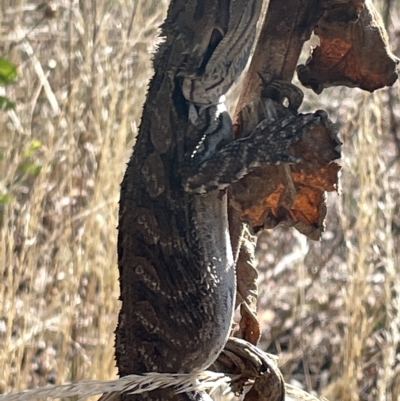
(63, 223)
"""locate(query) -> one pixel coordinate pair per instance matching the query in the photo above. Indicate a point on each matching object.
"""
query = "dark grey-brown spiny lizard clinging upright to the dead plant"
(175, 260)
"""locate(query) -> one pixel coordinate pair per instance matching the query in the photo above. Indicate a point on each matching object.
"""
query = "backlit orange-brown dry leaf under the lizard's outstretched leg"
(293, 195)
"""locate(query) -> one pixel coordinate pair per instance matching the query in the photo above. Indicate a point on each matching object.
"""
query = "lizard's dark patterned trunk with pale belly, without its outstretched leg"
(177, 277)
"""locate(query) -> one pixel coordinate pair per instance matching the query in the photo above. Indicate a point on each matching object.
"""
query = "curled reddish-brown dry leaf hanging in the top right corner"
(353, 49)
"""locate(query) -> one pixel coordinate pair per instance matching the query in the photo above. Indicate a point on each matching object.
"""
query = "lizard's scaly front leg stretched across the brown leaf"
(267, 144)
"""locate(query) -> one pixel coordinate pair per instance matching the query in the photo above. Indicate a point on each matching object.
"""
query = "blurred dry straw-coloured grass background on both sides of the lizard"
(331, 310)
